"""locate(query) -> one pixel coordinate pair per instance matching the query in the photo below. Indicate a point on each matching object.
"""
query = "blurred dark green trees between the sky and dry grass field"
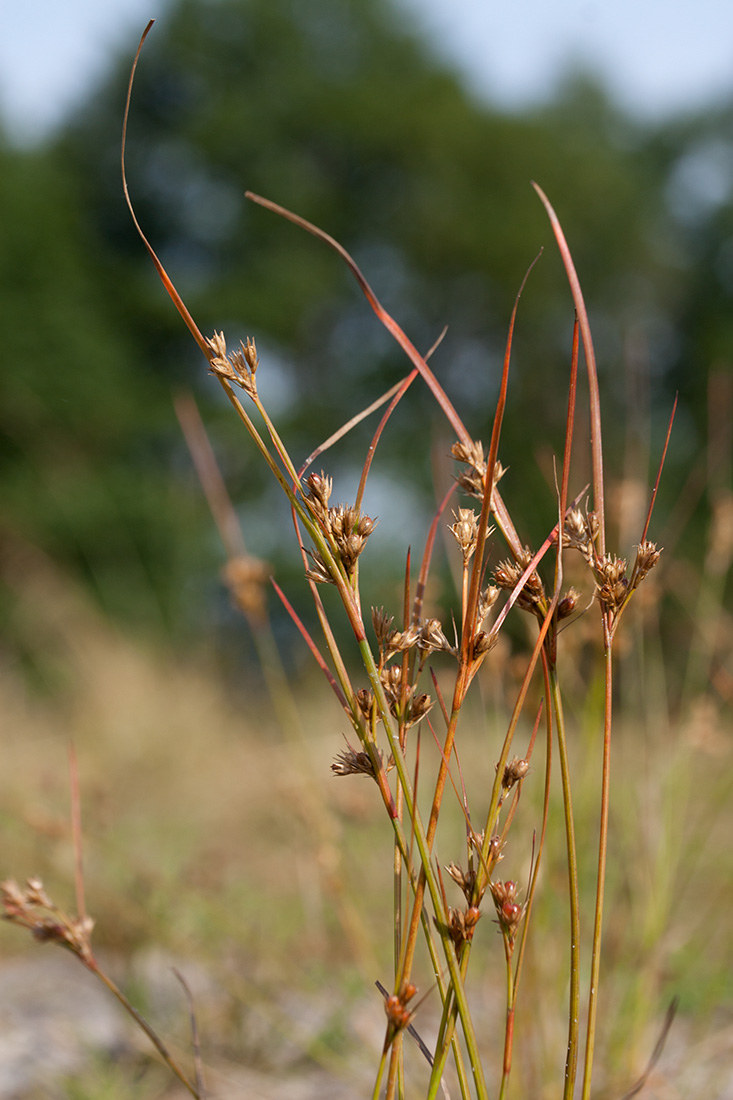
(340, 113)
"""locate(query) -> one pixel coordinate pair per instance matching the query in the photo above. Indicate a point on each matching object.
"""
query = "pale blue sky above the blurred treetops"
(658, 58)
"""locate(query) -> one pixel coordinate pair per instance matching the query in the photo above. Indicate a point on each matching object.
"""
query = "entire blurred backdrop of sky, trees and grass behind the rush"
(411, 131)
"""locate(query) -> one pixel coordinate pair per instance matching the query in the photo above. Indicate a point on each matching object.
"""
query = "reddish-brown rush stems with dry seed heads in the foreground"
(398, 697)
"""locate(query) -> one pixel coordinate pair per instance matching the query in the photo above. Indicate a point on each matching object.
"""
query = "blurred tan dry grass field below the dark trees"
(199, 855)
